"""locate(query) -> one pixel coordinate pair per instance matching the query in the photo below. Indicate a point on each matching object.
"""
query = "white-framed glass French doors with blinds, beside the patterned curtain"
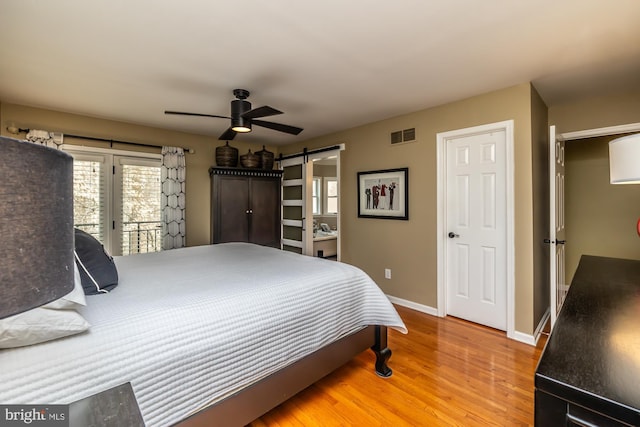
(117, 199)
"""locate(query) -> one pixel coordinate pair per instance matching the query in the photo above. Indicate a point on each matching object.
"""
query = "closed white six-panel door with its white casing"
(475, 204)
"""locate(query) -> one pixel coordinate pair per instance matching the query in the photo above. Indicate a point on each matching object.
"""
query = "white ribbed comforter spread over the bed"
(191, 326)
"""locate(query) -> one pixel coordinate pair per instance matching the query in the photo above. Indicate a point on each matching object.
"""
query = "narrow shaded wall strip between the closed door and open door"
(540, 156)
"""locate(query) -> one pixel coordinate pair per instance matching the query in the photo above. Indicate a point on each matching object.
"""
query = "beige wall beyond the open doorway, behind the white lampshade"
(600, 217)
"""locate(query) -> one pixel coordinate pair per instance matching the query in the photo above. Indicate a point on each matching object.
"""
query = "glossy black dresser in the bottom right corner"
(589, 371)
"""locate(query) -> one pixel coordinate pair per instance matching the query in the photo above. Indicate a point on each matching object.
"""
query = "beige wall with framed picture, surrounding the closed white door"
(408, 248)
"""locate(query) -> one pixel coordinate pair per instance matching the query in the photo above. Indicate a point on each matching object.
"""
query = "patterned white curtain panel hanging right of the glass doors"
(173, 174)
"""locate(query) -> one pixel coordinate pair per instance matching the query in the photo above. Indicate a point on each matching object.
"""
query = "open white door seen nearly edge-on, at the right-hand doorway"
(557, 279)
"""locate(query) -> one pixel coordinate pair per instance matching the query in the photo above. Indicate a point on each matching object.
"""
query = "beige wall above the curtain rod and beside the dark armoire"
(198, 164)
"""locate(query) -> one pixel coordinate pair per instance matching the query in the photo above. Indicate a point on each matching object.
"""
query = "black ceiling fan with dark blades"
(242, 117)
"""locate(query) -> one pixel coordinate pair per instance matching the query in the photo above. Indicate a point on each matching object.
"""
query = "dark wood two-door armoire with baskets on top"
(245, 206)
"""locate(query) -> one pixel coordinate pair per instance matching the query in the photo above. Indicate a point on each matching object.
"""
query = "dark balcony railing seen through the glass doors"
(137, 236)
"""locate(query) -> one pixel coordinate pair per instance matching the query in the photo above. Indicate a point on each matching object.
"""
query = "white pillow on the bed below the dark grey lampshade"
(50, 321)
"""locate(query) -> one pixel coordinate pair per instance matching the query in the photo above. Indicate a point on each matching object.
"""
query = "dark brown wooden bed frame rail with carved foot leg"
(249, 404)
